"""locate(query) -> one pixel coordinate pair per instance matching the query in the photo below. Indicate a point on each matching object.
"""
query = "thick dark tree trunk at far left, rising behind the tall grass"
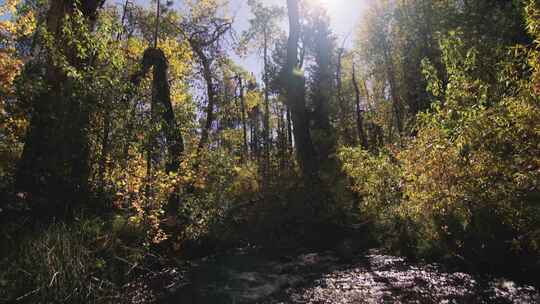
(54, 166)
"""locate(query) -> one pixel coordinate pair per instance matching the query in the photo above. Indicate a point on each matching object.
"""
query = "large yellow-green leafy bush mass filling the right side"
(468, 184)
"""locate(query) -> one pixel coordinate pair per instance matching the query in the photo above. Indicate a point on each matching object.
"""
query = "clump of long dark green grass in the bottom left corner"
(85, 261)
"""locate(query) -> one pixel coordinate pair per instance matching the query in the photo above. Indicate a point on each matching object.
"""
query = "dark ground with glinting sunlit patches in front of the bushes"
(247, 276)
